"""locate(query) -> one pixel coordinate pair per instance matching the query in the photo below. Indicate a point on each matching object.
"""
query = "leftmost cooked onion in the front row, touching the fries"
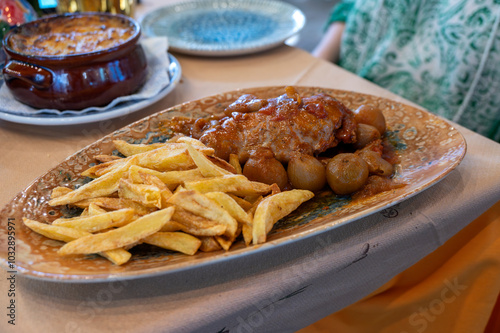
(263, 167)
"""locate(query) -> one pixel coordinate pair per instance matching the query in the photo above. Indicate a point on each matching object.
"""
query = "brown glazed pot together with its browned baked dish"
(74, 61)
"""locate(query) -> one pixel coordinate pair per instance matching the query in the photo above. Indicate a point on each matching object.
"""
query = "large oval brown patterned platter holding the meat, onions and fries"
(429, 148)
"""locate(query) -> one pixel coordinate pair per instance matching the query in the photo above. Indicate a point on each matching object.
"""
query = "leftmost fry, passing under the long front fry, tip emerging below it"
(116, 256)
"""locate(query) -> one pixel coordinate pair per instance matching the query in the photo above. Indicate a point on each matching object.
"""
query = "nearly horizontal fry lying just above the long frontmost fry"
(93, 223)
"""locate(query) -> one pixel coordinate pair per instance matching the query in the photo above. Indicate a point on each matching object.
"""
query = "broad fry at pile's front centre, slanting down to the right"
(199, 204)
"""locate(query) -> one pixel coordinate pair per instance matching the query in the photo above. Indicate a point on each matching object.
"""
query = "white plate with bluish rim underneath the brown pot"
(97, 114)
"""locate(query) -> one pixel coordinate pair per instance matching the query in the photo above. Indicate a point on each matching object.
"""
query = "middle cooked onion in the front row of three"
(305, 172)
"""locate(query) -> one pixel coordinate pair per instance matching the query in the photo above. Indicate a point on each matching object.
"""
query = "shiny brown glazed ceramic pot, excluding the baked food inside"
(74, 81)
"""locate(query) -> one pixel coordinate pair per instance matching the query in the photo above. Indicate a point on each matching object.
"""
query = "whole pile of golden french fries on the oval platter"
(175, 195)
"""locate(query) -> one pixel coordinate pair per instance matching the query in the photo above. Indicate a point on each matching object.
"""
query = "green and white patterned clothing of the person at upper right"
(441, 54)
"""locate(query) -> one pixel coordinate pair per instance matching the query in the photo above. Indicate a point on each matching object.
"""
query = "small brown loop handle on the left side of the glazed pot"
(40, 77)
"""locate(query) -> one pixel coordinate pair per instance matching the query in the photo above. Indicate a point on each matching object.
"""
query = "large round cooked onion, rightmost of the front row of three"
(346, 173)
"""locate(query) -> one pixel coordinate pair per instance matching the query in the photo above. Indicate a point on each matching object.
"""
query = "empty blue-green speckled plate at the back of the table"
(224, 27)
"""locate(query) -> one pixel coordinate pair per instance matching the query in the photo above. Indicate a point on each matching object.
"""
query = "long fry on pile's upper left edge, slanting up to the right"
(102, 186)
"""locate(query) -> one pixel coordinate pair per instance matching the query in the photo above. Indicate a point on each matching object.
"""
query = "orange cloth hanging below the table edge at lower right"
(454, 289)
